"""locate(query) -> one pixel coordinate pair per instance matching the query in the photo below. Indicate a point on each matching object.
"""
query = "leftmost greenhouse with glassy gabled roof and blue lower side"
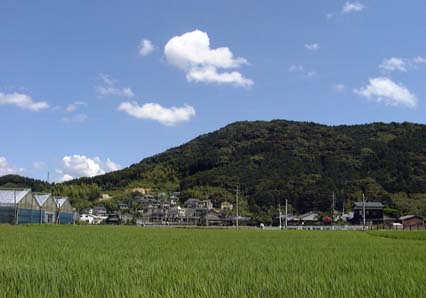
(18, 206)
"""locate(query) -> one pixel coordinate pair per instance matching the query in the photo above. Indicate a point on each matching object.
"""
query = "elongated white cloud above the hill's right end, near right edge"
(384, 90)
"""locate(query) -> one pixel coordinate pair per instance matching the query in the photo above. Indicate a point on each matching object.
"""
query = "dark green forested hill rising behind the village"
(277, 160)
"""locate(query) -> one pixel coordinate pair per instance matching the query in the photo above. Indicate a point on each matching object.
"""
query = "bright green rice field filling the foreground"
(103, 261)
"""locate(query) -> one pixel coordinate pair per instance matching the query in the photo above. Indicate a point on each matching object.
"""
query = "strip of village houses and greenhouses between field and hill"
(22, 206)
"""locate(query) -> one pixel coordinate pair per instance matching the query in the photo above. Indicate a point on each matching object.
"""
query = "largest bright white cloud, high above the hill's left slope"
(191, 52)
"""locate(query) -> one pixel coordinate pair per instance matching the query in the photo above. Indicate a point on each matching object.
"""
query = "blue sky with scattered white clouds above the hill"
(88, 87)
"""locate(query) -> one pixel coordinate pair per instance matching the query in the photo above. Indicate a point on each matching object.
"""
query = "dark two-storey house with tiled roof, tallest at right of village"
(373, 213)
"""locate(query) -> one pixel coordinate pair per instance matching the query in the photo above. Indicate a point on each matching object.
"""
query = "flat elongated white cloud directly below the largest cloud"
(153, 111)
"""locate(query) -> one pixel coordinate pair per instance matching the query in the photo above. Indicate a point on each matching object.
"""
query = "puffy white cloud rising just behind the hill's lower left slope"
(83, 166)
